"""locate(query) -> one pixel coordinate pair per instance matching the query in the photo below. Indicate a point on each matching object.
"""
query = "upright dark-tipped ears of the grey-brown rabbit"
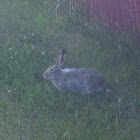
(61, 57)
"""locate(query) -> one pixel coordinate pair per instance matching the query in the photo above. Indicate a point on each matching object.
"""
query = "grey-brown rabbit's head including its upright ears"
(55, 70)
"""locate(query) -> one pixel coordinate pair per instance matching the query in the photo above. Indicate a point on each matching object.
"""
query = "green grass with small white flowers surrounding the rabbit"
(31, 108)
